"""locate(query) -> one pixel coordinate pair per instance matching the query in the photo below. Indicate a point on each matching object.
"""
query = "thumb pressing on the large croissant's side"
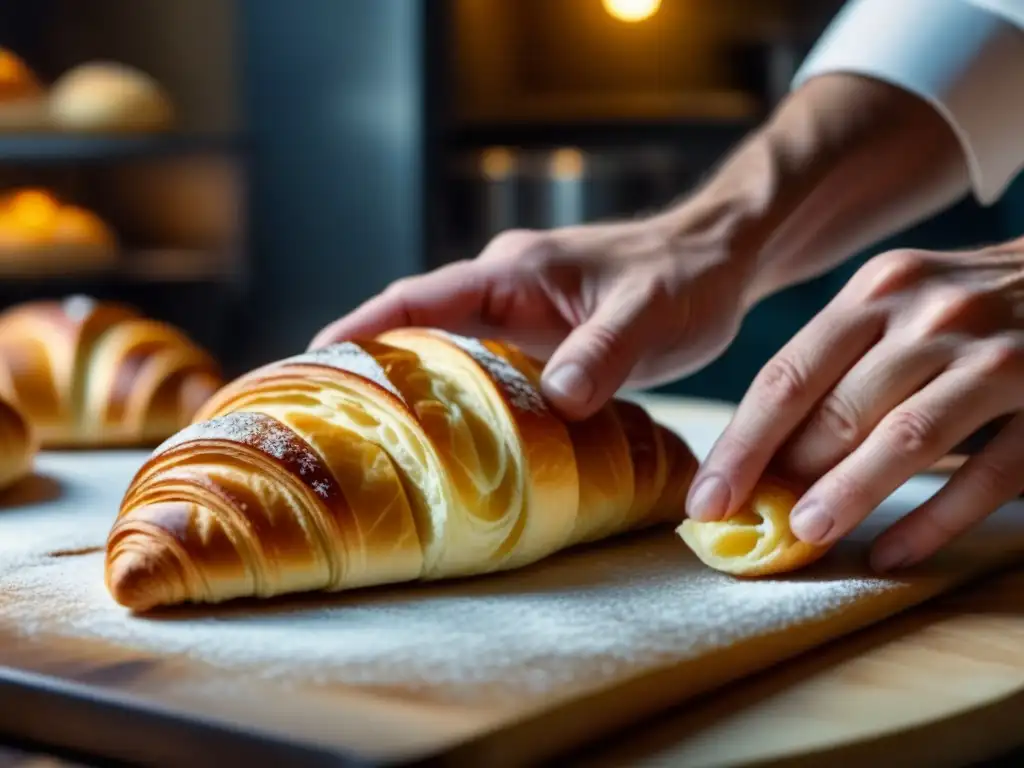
(599, 357)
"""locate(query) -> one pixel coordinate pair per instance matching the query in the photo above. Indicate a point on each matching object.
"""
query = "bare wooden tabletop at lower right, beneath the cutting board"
(941, 686)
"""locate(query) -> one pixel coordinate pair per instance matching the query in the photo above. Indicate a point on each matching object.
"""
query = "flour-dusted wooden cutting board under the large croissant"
(496, 671)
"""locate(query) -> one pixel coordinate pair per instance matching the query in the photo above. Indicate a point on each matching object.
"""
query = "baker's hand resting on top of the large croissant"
(636, 304)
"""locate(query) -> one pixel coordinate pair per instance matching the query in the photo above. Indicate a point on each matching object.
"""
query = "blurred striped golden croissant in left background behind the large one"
(90, 374)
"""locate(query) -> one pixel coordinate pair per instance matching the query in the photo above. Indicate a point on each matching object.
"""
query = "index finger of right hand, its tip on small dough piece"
(781, 398)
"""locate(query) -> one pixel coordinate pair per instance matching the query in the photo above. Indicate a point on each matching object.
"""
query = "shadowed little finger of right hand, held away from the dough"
(980, 487)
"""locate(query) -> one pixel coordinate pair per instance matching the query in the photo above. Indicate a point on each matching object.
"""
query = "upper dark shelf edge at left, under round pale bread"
(61, 148)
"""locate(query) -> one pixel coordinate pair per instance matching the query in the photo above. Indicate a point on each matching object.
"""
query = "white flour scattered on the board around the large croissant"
(573, 623)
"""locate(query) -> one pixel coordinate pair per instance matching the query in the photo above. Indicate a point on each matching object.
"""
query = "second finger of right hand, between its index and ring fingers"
(885, 377)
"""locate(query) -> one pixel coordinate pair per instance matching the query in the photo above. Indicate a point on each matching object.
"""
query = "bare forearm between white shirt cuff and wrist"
(844, 162)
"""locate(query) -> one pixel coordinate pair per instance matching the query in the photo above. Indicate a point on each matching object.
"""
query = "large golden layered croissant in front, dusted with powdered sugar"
(418, 455)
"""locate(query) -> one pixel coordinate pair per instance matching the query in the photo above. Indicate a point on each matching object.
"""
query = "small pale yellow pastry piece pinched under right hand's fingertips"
(757, 541)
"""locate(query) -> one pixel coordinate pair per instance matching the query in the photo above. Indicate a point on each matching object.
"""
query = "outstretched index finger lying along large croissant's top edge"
(451, 297)
